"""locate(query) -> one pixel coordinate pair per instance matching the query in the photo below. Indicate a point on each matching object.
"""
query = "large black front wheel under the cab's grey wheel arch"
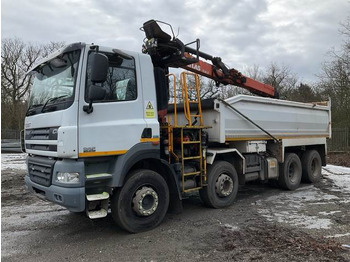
(142, 202)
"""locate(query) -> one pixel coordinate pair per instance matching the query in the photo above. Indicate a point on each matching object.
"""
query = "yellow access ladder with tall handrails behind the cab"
(193, 144)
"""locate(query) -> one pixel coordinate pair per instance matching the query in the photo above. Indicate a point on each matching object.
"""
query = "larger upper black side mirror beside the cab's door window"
(99, 67)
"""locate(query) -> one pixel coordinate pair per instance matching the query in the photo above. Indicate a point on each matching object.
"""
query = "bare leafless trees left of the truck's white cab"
(17, 57)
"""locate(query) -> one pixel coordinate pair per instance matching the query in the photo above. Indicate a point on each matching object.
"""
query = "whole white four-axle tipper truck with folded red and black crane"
(108, 129)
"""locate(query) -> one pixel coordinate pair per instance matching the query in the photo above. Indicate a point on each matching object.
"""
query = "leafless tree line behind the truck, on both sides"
(17, 57)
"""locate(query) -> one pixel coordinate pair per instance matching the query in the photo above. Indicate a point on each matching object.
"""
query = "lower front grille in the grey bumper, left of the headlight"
(40, 170)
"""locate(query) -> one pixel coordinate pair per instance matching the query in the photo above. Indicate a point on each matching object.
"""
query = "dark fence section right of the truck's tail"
(340, 140)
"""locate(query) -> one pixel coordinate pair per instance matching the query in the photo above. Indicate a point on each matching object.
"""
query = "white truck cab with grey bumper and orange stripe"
(73, 153)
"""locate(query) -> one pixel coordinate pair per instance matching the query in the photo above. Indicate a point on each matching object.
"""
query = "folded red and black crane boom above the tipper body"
(167, 51)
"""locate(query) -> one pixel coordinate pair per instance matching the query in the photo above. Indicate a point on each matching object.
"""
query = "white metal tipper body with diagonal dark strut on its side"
(280, 118)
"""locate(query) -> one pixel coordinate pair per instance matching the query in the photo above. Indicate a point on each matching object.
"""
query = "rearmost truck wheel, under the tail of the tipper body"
(312, 166)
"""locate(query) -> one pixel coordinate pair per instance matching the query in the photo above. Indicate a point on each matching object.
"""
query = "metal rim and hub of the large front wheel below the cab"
(145, 201)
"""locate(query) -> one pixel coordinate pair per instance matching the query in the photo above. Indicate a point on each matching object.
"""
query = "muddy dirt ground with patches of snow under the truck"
(265, 224)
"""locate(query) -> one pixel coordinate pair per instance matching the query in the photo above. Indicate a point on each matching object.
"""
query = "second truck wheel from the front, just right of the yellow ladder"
(222, 187)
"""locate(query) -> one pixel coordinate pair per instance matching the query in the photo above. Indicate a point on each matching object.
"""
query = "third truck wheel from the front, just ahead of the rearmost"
(290, 172)
